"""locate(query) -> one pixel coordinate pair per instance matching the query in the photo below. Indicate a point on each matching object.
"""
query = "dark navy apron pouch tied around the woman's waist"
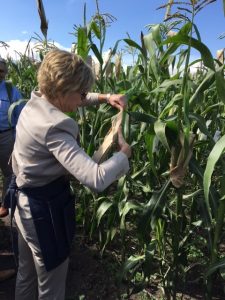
(53, 211)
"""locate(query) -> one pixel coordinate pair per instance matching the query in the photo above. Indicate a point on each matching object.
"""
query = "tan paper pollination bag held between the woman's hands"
(101, 154)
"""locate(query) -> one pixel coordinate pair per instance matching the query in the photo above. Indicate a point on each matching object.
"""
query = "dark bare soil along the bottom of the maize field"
(90, 277)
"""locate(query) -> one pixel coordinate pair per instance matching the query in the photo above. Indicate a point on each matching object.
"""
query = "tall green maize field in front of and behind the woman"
(164, 221)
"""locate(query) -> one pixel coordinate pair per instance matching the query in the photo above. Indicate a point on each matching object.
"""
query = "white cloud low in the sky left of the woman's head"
(17, 47)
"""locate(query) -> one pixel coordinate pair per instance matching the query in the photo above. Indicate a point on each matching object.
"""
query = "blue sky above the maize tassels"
(20, 21)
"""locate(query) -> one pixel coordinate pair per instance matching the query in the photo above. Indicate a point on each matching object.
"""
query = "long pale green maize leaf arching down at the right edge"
(211, 162)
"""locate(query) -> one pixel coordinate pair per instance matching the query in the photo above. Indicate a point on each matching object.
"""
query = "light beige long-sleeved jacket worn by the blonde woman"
(46, 148)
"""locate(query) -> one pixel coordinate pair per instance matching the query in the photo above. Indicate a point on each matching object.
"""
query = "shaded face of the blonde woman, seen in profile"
(71, 101)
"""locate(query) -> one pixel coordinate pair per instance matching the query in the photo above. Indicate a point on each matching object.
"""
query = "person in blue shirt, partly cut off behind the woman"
(7, 131)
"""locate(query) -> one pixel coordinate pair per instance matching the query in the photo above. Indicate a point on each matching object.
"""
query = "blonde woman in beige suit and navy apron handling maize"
(46, 150)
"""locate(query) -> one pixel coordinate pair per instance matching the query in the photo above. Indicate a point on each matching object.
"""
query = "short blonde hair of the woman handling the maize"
(62, 72)
